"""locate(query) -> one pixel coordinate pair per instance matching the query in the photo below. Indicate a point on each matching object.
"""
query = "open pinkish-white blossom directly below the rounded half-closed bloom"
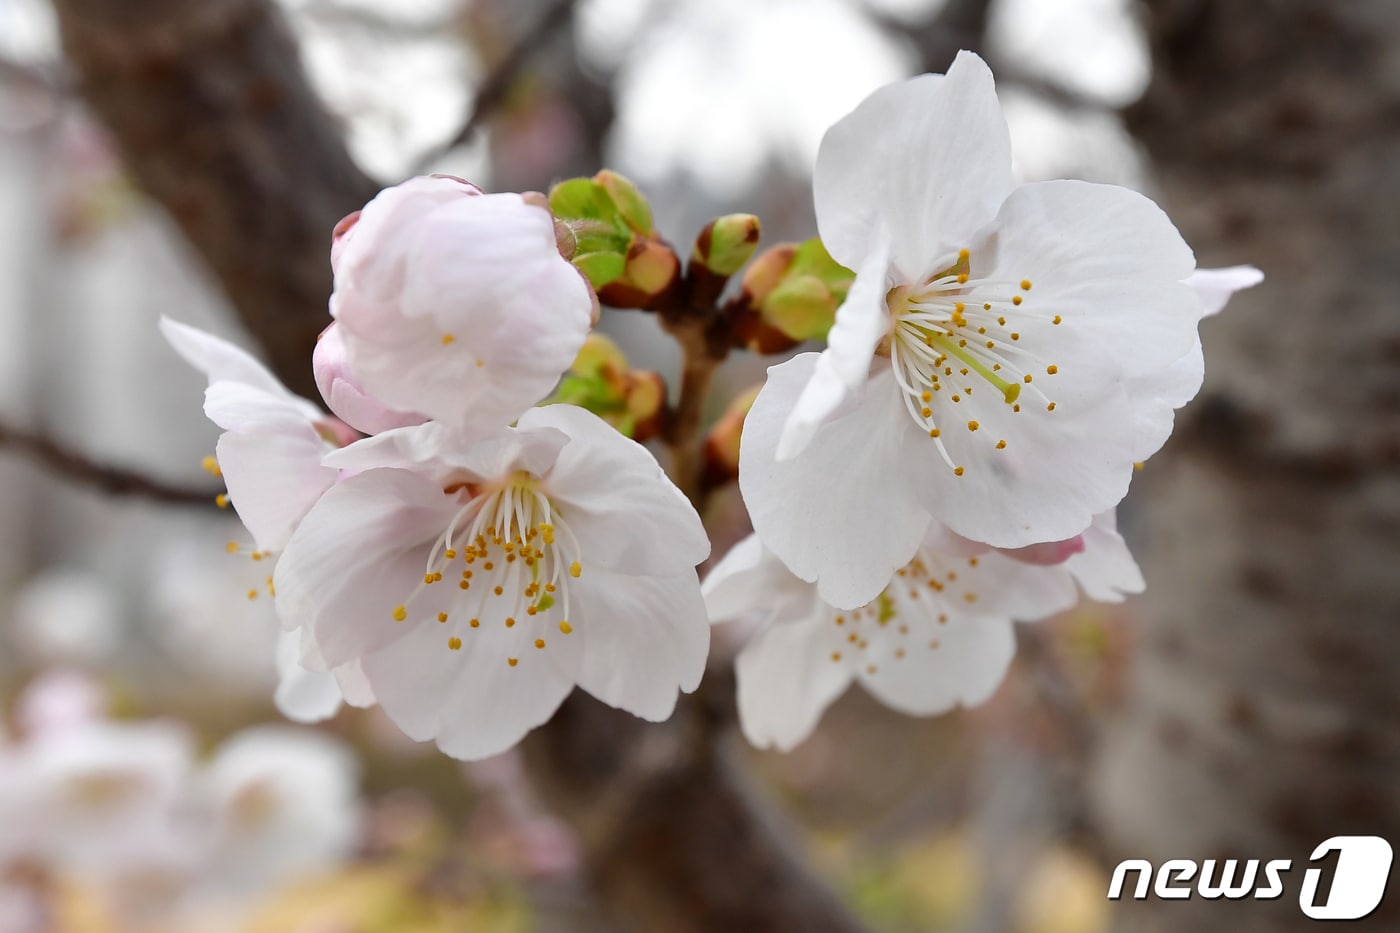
(478, 582)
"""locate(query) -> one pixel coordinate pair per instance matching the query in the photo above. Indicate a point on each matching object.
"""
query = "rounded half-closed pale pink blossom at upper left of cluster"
(457, 305)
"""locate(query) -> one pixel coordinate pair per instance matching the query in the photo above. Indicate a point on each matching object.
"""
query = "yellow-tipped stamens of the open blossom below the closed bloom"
(513, 557)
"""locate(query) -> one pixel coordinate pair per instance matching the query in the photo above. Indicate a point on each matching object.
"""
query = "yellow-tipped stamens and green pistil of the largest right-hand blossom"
(953, 334)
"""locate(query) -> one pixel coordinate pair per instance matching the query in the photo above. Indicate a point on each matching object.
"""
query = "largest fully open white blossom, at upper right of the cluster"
(1003, 359)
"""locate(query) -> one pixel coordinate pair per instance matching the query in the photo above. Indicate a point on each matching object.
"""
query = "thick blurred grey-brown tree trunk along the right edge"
(1266, 714)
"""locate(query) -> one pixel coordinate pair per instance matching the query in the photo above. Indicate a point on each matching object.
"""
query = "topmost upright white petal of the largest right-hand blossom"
(930, 158)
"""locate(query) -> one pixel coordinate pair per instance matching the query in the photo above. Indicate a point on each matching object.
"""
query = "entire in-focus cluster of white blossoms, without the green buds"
(950, 463)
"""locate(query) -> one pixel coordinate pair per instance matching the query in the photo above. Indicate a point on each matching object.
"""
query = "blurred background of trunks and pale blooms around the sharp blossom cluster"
(1244, 708)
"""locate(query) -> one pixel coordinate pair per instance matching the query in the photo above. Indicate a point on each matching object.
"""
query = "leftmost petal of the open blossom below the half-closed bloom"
(356, 557)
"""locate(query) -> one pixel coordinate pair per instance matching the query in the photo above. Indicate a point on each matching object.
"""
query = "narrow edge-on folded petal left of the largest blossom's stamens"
(843, 368)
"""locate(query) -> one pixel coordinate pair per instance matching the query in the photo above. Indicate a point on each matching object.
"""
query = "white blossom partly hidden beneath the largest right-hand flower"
(939, 637)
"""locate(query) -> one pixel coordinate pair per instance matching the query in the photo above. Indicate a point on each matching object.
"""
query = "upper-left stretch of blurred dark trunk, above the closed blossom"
(216, 120)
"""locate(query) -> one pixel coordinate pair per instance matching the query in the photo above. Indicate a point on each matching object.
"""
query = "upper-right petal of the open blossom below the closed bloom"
(621, 506)
